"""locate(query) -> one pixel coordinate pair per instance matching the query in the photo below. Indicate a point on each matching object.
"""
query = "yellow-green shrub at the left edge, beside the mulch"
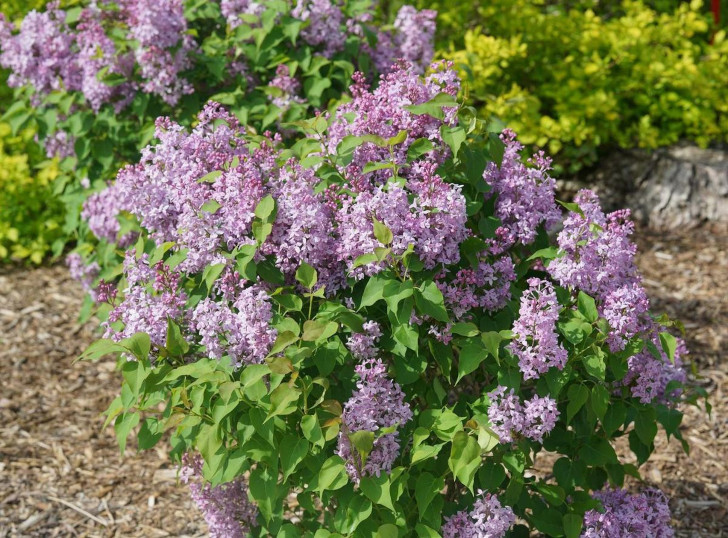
(30, 215)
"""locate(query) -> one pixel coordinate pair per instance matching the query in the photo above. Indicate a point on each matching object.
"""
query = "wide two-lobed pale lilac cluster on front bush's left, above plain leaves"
(241, 330)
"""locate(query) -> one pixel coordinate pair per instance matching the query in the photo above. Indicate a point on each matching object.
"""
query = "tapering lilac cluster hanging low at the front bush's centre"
(377, 403)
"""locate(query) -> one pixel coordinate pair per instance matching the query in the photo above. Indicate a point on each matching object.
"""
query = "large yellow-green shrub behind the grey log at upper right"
(578, 80)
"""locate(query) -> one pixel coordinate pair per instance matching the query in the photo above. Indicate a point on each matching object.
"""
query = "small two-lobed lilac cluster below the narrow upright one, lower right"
(508, 416)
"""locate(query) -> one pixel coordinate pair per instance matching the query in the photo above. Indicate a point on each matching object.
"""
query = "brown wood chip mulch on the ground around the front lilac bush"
(61, 475)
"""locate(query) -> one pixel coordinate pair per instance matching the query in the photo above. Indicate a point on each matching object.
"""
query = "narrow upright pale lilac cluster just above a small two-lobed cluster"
(537, 343)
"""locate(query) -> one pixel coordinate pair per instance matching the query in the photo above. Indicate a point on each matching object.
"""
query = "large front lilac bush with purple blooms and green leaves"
(371, 333)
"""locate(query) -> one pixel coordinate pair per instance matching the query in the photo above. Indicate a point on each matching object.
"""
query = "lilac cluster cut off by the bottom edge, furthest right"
(644, 515)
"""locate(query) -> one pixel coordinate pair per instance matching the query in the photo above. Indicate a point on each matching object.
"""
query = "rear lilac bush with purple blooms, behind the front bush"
(92, 79)
